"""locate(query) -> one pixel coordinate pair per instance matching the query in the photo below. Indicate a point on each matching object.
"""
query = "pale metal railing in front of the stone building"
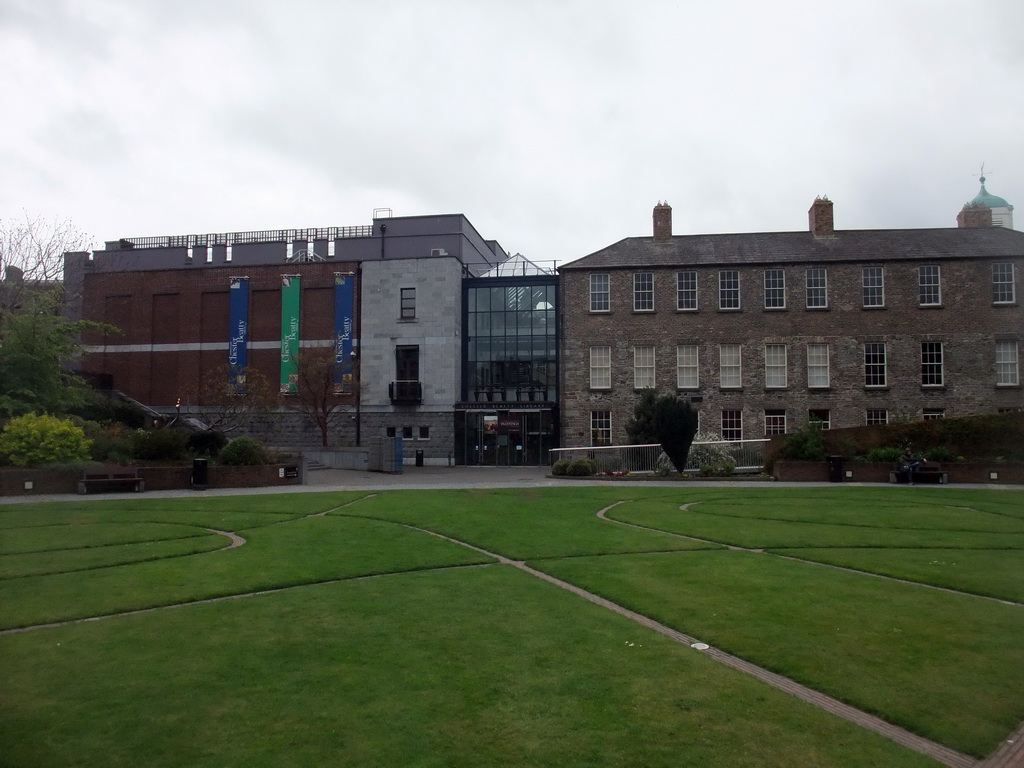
(744, 456)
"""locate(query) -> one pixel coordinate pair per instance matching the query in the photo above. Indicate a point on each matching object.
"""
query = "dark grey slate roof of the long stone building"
(846, 245)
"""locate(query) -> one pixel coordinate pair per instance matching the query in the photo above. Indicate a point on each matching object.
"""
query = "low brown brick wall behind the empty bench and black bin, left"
(31, 483)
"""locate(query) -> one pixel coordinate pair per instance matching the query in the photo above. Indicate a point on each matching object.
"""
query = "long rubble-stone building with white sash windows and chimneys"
(763, 332)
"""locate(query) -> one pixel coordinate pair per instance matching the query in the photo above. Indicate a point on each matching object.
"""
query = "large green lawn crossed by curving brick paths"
(372, 643)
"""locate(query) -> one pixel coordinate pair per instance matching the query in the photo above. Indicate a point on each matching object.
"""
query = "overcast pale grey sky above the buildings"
(554, 126)
